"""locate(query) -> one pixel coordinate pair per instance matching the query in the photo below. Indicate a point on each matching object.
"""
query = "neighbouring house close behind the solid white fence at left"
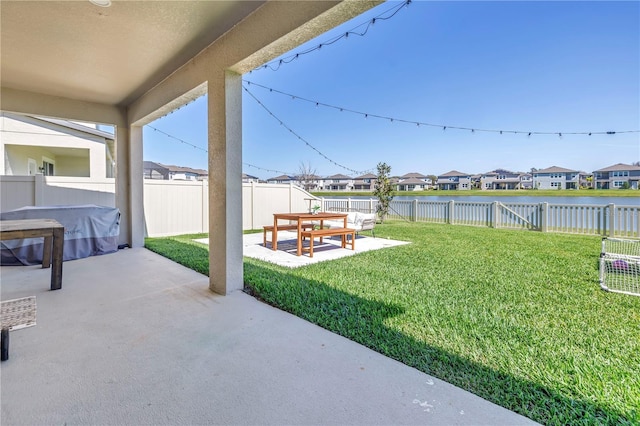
(37, 145)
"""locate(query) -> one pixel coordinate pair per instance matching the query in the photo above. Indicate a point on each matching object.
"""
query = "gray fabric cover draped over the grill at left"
(89, 230)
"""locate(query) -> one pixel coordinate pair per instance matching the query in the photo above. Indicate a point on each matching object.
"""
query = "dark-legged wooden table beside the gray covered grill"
(53, 233)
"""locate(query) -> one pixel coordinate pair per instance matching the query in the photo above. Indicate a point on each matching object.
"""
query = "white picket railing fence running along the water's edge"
(605, 220)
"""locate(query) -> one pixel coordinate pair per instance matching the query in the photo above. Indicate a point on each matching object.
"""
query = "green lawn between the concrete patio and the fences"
(516, 317)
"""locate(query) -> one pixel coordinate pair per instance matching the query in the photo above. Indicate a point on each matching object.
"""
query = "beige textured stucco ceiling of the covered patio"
(112, 55)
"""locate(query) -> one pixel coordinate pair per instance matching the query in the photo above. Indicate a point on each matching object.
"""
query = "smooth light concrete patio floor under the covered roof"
(133, 338)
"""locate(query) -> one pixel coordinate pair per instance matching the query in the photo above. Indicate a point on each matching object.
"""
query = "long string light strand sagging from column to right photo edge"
(443, 127)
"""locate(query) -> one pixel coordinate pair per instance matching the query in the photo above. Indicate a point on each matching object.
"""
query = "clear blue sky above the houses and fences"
(557, 67)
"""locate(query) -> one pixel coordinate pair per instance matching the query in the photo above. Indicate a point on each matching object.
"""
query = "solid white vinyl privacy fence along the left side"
(171, 207)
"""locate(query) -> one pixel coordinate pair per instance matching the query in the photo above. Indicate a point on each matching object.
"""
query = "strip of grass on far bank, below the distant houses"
(494, 193)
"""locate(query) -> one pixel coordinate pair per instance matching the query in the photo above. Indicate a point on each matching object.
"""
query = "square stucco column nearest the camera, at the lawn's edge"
(225, 182)
